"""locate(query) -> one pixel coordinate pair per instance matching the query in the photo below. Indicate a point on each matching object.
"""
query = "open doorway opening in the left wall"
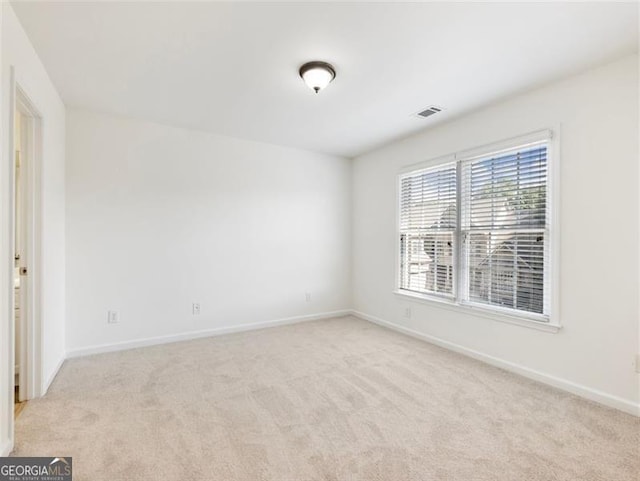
(26, 146)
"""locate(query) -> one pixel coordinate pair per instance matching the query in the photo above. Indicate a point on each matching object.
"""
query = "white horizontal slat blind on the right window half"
(504, 224)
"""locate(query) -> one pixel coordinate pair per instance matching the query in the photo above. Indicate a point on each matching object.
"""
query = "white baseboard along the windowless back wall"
(218, 331)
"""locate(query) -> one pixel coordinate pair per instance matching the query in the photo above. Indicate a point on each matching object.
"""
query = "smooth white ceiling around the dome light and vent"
(231, 68)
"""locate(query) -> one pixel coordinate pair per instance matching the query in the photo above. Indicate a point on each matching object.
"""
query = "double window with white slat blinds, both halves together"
(475, 230)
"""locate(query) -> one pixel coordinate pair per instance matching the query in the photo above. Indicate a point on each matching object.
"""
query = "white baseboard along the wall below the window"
(580, 390)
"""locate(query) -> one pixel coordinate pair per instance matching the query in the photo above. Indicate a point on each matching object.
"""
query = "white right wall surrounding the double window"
(594, 353)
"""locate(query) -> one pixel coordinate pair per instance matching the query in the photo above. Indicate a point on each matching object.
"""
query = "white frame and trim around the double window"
(549, 322)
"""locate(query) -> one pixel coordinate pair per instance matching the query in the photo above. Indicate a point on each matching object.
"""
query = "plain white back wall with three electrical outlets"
(161, 217)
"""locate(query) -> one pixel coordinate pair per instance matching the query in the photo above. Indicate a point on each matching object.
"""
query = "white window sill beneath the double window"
(474, 310)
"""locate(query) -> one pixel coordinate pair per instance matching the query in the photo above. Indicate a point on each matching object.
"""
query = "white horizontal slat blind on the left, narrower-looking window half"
(427, 230)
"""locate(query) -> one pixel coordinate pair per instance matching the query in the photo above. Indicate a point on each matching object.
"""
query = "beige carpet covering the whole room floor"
(339, 399)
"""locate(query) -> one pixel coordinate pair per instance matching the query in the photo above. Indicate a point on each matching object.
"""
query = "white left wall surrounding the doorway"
(18, 52)
